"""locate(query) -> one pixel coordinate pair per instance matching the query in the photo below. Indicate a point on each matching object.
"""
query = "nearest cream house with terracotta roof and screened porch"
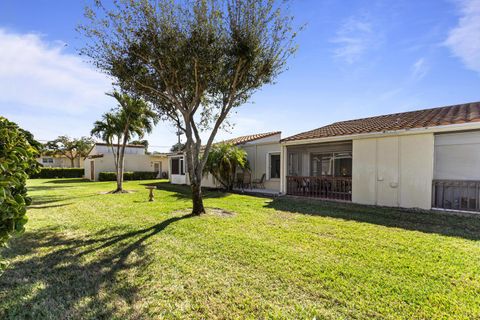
(421, 159)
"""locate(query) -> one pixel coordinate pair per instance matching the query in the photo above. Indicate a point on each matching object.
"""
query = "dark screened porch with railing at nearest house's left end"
(320, 171)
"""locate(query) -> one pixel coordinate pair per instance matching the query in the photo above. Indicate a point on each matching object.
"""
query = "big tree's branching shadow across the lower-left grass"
(64, 277)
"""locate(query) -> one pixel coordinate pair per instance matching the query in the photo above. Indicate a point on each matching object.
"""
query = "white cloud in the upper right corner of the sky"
(464, 39)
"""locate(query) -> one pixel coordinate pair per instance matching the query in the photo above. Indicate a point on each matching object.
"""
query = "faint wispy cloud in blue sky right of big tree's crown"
(354, 38)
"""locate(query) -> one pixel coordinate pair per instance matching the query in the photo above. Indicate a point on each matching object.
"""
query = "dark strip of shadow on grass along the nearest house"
(463, 226)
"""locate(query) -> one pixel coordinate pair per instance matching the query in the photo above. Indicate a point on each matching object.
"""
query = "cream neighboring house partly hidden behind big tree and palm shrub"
(263, 151)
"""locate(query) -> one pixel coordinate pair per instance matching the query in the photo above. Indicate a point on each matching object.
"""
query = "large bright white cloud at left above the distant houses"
(38, 75)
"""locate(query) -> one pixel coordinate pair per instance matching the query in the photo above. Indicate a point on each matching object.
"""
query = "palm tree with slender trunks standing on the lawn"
(132, 118)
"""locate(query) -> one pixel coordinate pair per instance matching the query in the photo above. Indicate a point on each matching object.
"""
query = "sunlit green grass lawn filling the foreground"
(89, 255)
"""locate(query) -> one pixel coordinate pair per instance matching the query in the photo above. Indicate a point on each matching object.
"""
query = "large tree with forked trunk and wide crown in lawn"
(193, 60)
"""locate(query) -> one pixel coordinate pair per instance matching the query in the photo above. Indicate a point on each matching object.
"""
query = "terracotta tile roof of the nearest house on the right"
(461, 113)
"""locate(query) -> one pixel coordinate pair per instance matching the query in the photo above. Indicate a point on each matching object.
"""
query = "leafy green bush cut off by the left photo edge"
(17, 158)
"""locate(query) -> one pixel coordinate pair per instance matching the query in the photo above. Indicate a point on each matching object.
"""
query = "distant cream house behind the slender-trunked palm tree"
(100, 159)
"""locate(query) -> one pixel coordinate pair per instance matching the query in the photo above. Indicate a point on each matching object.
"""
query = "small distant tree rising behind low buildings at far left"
(69, 147)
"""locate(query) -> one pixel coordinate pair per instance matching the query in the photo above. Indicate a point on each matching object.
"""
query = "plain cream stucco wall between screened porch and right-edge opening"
(393, 171)
